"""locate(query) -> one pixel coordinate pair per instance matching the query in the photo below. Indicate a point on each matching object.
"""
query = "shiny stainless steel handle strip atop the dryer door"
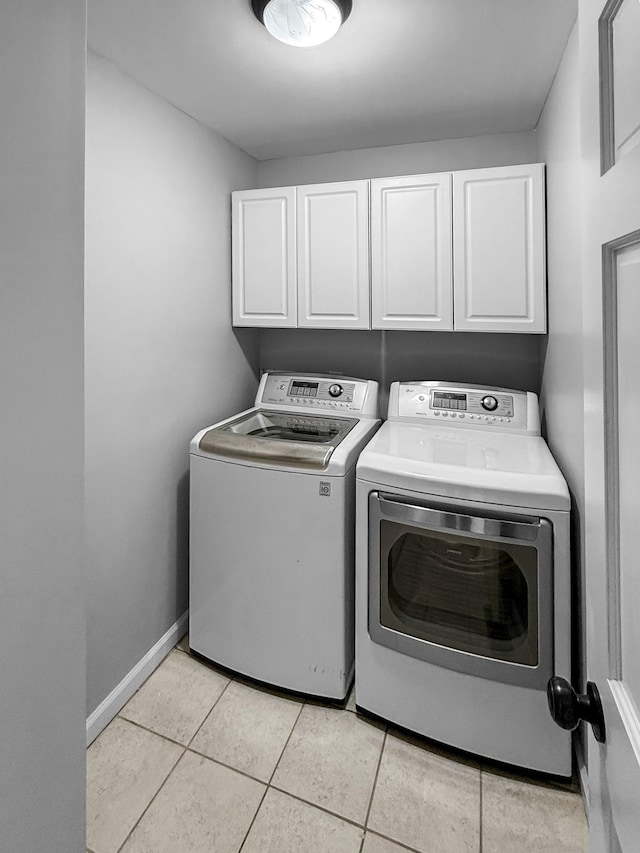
(497, 528)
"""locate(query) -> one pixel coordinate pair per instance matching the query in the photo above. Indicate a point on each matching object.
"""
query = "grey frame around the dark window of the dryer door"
(477, 665)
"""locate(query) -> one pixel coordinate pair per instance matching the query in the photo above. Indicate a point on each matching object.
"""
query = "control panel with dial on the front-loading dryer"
(474, 406)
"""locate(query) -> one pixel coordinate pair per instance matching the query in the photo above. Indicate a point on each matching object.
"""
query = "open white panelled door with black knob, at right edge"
(611, 275)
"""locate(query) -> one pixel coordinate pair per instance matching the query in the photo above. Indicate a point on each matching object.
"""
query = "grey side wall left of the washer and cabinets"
(161, 358)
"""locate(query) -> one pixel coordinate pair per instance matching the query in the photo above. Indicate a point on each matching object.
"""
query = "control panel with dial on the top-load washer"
(325, 393)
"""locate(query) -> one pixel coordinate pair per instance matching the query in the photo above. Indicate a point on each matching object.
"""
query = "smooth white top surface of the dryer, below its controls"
(465, 464)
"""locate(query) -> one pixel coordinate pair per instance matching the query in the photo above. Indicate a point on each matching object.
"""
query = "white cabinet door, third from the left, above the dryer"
(411, 248)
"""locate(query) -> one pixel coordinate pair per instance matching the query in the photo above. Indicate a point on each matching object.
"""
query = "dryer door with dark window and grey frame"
(465, 592)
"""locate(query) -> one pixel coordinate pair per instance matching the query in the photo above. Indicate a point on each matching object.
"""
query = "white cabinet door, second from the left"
(333, 255)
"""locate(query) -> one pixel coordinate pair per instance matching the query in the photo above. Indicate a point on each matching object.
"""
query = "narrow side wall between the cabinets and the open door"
(562, 377)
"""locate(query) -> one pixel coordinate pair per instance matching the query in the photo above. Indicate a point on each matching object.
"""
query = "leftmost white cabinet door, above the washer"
(264, 258)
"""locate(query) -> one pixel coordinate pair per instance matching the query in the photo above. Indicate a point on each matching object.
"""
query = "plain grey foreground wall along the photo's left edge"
(42, 663)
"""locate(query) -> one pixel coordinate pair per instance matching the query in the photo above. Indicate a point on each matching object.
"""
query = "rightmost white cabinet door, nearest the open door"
(499, 249)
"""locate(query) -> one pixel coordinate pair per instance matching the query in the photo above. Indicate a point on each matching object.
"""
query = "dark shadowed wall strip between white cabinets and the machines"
(502, 360)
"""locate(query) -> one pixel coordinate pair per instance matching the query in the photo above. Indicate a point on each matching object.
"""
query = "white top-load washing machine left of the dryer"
(272, 532)
